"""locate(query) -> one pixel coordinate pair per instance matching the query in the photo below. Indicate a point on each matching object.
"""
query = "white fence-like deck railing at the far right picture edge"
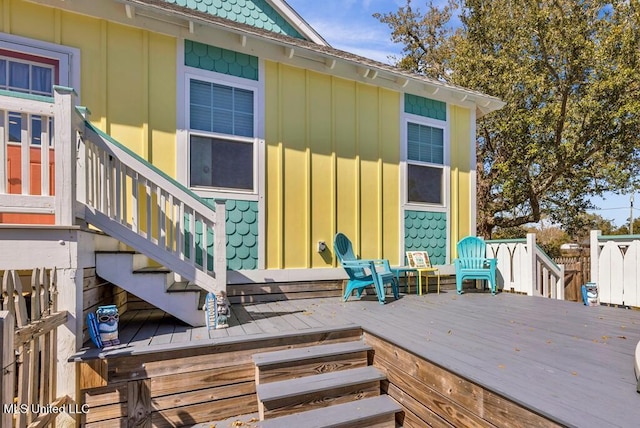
(615, 268)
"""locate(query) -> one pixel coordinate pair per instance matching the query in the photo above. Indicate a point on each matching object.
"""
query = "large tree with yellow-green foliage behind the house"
(567, 70)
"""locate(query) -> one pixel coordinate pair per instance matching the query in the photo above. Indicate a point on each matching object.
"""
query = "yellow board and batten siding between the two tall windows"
(332, 165)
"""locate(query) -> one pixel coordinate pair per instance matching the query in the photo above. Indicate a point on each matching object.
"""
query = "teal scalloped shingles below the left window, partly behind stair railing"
(242, 236)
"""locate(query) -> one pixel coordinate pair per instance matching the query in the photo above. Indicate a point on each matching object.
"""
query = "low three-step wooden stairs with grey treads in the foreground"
(322, 386)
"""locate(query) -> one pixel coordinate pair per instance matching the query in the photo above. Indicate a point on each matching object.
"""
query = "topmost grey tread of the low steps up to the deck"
(309, 352)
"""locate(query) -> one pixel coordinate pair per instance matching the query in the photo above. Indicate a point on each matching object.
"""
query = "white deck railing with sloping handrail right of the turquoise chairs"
(523, 267)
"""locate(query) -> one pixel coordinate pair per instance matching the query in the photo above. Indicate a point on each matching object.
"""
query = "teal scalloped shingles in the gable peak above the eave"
(257, 13)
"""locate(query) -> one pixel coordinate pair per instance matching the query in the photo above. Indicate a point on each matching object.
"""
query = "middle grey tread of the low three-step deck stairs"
(322, 382)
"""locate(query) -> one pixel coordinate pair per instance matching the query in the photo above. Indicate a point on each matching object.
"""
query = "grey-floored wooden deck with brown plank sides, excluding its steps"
(470, 360)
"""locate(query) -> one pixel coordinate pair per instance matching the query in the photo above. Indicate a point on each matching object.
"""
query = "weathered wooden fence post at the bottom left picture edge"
(7, 359)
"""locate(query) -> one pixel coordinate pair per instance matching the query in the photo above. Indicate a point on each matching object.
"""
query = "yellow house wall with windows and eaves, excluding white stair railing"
(243, 100)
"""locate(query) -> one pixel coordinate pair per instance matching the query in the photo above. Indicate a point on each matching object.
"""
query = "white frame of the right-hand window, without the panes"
(445, 166)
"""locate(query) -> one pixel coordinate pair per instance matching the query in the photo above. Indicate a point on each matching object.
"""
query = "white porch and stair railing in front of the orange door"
(101, 181)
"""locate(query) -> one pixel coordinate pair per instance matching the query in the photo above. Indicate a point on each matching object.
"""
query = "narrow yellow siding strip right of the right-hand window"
(460, 191)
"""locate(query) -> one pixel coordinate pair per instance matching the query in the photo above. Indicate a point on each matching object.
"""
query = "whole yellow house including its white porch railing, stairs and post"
(229, 125)
